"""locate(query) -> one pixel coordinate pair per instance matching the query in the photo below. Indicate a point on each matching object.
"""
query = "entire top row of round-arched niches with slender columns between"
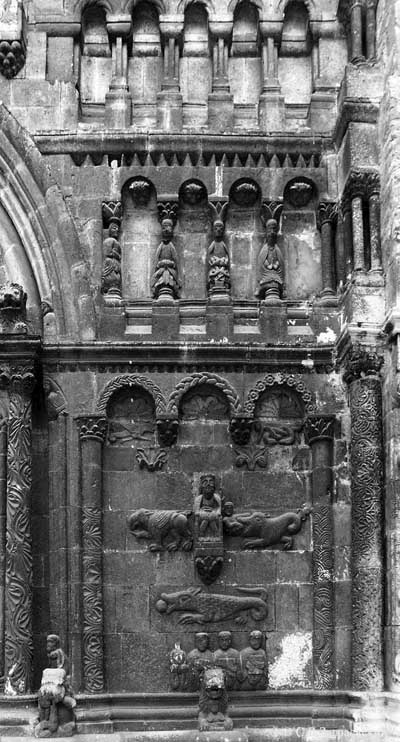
(198, 72)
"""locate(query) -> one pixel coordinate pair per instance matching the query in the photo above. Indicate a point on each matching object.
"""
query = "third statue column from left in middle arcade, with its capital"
(218, 262)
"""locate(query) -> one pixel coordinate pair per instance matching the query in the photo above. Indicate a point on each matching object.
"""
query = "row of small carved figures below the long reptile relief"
(244, 669)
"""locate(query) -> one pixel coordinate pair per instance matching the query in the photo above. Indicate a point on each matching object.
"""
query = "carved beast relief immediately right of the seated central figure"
(259, 530)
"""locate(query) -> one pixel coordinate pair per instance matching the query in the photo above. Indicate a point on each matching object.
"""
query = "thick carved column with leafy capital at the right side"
(362, 370)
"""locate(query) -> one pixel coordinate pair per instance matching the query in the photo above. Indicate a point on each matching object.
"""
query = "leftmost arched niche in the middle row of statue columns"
(140, 237)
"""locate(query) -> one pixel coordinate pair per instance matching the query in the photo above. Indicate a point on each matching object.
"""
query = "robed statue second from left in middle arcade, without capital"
(165, 284)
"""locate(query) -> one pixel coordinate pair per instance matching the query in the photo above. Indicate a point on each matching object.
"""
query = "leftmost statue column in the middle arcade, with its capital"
(111, 274)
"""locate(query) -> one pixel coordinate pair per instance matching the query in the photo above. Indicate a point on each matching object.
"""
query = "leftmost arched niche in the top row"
(96, 63)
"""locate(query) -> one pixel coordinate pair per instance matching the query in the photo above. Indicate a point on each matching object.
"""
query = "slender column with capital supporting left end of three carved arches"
(92, 430)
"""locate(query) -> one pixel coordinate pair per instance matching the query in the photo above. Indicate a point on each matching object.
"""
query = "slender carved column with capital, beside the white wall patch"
(319, 431)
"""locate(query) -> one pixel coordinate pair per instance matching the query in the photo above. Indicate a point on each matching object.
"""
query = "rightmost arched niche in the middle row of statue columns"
(301, 241)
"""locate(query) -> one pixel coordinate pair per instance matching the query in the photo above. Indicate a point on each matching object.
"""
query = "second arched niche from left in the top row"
(145, 64)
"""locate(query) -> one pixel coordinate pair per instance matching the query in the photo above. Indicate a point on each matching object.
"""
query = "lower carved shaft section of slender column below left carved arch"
(92, 599)
